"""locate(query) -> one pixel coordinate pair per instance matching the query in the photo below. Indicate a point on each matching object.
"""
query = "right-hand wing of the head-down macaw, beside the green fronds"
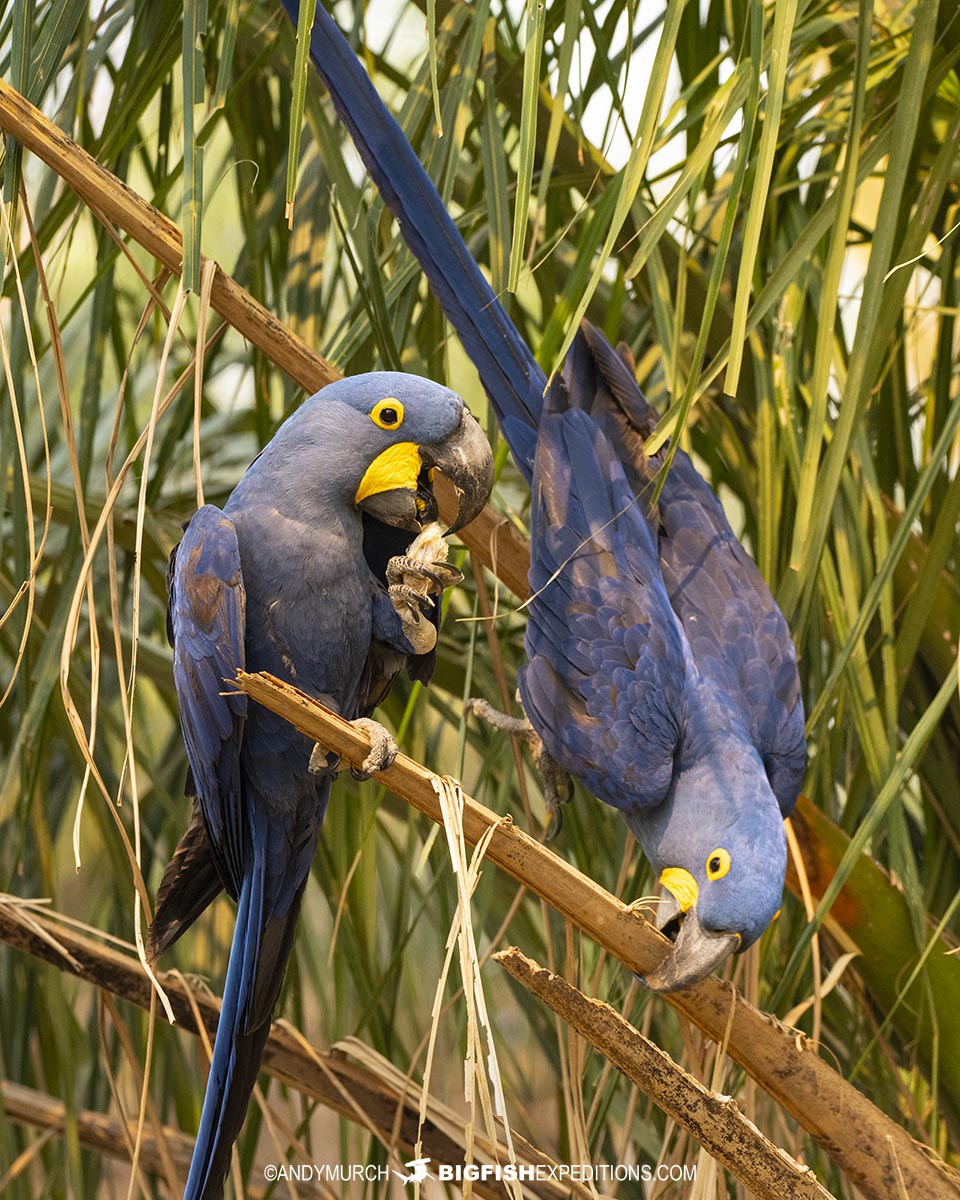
(737, 634)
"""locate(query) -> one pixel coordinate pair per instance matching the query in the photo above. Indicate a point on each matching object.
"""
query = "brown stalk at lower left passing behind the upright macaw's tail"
(347, 1088)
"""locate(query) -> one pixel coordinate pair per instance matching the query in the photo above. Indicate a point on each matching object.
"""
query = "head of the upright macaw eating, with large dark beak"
(381, 437)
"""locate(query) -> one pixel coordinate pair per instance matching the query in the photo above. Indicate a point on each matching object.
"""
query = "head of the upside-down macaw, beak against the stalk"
(719, 850)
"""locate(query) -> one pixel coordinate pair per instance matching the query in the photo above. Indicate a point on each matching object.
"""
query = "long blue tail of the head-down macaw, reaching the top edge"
(508, 370)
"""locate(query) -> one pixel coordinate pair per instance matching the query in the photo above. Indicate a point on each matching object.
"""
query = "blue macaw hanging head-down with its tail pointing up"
(661, 671)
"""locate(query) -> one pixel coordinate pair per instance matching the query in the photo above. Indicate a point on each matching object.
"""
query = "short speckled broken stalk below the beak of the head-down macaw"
(716, 1121)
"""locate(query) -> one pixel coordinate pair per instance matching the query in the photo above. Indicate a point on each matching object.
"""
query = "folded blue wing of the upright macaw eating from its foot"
(207, 614)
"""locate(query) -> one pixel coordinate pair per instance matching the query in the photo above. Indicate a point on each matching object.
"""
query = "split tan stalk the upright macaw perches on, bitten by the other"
(874, 1151)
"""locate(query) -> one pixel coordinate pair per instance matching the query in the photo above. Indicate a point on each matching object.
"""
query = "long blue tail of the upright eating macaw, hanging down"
(259, 956)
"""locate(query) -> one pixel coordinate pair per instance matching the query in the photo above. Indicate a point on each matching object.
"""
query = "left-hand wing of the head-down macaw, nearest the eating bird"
(608, 664)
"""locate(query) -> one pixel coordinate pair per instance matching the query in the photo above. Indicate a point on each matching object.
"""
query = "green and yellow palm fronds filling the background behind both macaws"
(777, 242)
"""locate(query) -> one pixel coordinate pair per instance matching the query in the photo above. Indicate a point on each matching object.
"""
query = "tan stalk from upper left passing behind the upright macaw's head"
(117, 205)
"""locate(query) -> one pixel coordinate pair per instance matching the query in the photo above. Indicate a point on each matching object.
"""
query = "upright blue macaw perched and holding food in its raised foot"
(303, 574)
